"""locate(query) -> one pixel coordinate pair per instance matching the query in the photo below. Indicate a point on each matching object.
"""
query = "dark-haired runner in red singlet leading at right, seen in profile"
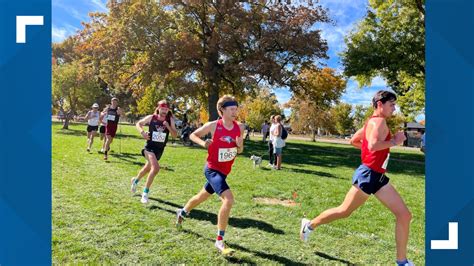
(374, 140)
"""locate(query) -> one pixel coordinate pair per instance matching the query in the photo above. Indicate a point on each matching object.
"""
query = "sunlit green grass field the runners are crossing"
(97, 220)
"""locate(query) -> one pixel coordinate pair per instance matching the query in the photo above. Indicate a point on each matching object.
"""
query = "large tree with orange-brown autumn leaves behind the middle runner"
(217, 47)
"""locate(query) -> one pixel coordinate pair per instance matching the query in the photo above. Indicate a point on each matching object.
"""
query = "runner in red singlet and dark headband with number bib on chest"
(224, 146)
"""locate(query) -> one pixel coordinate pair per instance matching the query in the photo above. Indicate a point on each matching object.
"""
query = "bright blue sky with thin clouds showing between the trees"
(68, 15)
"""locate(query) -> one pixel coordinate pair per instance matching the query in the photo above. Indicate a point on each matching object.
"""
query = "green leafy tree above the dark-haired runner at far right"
(390, 42)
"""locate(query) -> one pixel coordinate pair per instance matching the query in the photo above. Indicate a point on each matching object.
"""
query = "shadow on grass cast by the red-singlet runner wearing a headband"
(273, 257)
